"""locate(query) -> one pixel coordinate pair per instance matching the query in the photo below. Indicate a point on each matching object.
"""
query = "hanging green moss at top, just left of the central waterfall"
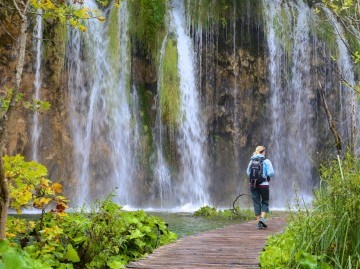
(148, 23)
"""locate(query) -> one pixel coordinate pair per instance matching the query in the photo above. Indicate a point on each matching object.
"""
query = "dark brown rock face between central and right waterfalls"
(235, 106)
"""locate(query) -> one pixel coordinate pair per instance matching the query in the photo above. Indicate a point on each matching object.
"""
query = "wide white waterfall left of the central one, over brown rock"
(99, 108)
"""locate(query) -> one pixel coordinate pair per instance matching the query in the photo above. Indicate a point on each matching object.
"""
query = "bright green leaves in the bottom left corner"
(11, 256)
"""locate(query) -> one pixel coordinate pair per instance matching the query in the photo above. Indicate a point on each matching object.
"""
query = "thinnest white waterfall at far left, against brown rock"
(36, 128)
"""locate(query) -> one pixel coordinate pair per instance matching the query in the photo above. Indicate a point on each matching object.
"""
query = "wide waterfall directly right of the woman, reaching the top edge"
(291, 147)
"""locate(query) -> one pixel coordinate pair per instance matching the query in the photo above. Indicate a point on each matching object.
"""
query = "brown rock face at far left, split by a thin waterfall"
(55, 142)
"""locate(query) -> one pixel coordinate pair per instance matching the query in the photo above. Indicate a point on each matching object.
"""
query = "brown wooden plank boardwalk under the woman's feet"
(235, 246)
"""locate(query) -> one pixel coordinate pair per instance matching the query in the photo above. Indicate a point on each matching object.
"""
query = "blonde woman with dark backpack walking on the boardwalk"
(259, 184)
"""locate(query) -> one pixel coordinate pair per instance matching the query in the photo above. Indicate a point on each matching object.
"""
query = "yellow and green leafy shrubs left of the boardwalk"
(107, 237)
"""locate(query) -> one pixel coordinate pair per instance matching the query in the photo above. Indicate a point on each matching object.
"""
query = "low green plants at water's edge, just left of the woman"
(211, 212)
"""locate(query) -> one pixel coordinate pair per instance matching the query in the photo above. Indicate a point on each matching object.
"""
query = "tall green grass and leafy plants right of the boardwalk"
(327, 235)
